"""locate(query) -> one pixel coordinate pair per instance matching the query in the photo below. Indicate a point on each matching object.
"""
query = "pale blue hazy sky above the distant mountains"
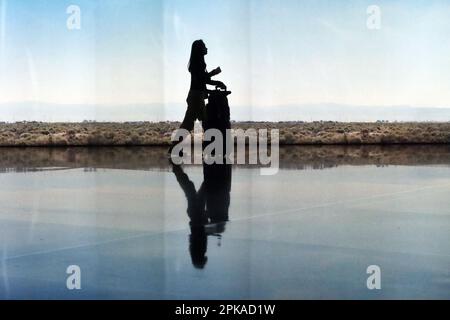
(272, 53)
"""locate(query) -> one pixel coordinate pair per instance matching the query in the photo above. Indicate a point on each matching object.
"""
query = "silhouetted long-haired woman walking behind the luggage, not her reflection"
(200, 77)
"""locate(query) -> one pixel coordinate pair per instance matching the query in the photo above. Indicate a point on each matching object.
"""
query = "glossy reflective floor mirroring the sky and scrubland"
(309, 231)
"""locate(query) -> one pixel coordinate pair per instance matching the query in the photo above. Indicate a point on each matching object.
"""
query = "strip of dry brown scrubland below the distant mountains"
(147, 133)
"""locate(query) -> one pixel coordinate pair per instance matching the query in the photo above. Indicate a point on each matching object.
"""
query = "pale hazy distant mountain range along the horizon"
(33, 111)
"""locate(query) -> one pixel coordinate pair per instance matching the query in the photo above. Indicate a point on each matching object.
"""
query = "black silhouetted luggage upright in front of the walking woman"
(218, 113)
